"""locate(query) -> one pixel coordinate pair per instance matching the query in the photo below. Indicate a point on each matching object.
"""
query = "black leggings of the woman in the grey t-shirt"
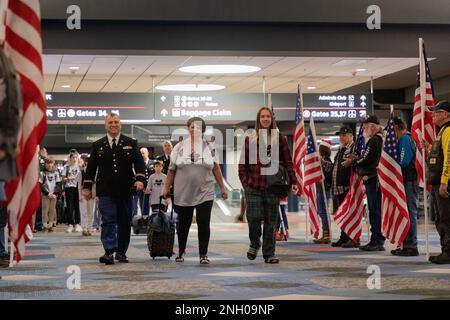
(203, 215)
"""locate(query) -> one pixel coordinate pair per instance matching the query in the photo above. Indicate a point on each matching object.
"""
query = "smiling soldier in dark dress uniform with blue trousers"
(114, 156)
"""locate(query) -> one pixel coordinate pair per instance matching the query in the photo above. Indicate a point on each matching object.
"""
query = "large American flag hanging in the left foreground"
(23, 44)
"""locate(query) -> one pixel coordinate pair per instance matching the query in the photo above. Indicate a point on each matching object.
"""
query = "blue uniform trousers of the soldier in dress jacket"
(116, 224)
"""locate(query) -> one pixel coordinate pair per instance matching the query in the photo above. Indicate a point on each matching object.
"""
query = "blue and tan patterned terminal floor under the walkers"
(306, 271)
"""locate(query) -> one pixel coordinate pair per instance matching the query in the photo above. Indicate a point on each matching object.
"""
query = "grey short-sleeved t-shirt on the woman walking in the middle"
(194, 179)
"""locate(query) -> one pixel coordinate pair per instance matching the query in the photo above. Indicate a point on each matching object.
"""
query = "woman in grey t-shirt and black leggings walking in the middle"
(194, 168)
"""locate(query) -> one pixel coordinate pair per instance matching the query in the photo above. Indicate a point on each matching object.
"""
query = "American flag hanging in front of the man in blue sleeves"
(394, 211)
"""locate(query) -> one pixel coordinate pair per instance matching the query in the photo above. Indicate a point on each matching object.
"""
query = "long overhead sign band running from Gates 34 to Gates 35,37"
(176, 107)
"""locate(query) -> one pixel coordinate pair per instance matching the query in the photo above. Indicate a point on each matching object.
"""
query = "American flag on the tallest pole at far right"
(416, 128)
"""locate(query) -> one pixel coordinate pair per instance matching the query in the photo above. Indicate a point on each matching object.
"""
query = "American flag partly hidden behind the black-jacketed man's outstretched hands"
(351, 211)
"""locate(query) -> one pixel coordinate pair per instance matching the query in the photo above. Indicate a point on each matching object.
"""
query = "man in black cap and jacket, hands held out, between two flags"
(366, 167)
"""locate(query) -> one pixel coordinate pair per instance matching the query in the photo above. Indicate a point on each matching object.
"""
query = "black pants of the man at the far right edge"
(442, 218)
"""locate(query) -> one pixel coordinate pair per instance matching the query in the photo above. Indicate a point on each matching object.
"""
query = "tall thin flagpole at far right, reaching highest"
(423, 99)
